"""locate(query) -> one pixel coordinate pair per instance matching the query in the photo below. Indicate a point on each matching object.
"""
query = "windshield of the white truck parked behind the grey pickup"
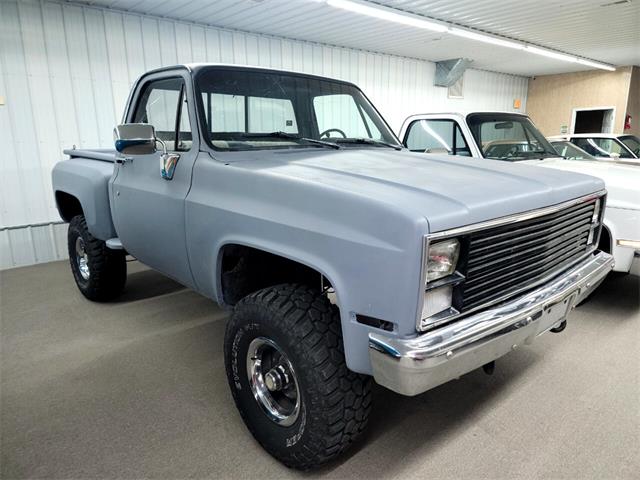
(504, 136)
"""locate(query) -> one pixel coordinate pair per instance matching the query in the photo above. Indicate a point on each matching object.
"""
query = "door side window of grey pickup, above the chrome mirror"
(163, 104)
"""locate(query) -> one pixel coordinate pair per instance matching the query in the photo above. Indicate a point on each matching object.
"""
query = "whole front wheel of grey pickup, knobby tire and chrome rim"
(285, 366)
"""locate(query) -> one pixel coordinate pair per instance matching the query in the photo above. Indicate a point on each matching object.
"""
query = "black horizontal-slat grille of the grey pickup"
(509, 258)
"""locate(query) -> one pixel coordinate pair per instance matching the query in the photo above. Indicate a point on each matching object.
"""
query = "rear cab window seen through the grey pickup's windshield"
(237, 113)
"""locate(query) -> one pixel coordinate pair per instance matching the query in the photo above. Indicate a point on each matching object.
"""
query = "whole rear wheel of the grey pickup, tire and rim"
(100, 273)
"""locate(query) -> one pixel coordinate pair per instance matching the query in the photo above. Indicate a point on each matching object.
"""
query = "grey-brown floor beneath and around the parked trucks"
(136, 388)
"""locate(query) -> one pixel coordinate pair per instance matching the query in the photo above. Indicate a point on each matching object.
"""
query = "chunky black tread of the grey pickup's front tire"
(342, 398)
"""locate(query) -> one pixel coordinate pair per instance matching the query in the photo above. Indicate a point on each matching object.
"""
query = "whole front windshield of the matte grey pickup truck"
(248, 109)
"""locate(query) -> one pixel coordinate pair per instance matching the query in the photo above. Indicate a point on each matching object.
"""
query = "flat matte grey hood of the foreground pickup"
(448, 191)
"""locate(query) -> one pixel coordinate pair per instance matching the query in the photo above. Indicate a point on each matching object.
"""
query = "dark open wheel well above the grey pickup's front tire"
(245, 270)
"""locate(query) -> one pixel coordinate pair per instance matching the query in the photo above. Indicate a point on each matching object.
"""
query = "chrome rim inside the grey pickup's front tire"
(273, 381)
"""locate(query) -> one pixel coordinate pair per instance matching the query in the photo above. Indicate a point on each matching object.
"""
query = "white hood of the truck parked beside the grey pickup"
(621, 180)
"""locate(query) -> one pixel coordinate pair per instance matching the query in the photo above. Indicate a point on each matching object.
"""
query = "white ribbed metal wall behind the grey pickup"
(66, 70)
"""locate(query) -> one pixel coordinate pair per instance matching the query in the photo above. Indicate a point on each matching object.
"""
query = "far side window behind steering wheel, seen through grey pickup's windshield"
(340, 115)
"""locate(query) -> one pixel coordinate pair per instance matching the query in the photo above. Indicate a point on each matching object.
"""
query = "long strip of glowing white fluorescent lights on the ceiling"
(419, 21)
